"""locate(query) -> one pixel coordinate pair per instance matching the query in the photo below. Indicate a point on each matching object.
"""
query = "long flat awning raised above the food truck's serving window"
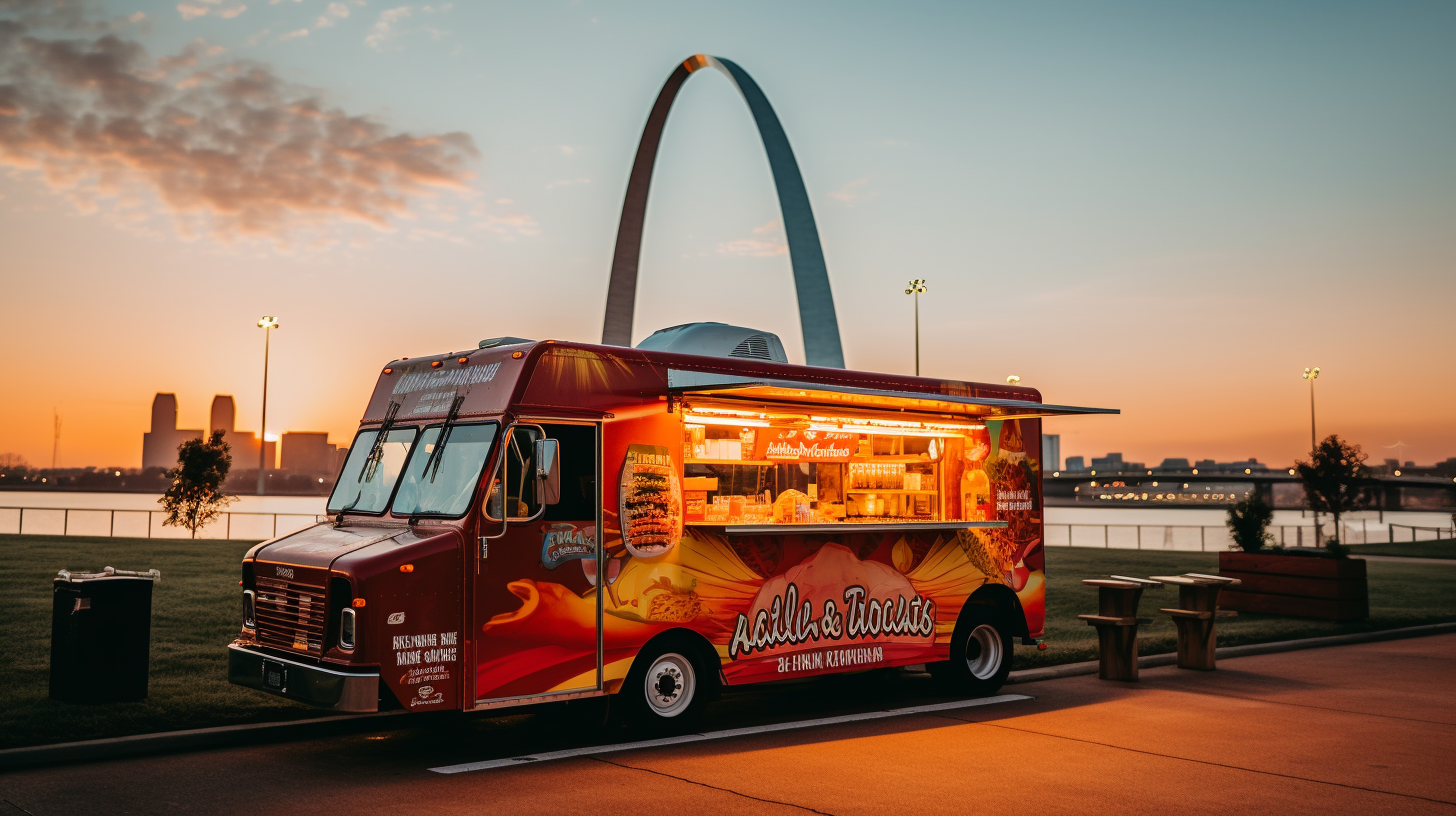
(783, 393)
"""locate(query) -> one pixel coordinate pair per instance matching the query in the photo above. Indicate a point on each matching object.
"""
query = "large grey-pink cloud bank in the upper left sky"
(225, 146)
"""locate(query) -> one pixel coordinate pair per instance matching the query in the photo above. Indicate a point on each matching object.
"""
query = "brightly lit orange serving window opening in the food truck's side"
(783, 467)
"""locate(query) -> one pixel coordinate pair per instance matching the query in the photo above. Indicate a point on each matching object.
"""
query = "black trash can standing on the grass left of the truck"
(101, 636)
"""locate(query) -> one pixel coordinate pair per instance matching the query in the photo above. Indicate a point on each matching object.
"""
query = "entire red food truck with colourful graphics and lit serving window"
(531, 522)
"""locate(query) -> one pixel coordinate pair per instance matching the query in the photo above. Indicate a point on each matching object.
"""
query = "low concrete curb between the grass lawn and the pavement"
(234, 737)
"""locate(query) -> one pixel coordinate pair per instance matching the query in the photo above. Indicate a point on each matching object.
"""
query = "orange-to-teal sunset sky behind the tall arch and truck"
(1147, 206)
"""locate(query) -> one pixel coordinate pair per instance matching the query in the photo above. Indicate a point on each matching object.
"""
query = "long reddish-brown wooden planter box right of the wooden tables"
(1333, 589)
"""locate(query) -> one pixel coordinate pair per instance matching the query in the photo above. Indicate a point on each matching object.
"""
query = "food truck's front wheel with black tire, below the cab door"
(668, 688)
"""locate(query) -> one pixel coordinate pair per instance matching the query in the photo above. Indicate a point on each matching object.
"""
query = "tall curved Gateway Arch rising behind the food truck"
(816, 301)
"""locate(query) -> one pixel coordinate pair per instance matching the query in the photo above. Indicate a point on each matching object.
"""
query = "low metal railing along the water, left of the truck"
(146, 524)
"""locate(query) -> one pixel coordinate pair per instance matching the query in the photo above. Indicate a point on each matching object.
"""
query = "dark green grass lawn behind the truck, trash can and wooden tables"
(197, 607)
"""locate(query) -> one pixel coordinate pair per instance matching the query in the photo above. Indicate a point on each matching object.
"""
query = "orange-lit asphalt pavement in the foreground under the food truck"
(1350, 729)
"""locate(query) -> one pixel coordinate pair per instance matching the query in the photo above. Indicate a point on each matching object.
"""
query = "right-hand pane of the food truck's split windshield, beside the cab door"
(445, 484)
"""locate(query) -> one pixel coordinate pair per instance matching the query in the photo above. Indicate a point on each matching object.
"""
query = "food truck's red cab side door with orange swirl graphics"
(538, 614)
